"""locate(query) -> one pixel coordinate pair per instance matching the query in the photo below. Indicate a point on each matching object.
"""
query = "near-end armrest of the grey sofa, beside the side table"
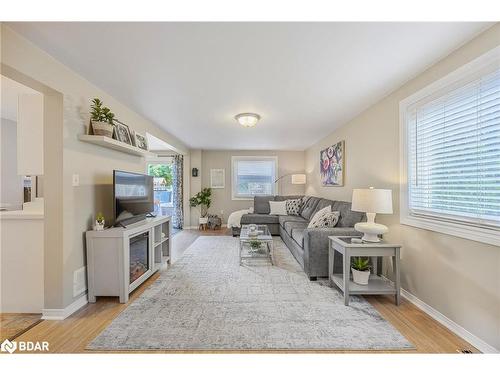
(316, 248)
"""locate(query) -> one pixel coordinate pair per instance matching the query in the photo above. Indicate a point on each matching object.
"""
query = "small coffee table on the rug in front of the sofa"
(264, 238)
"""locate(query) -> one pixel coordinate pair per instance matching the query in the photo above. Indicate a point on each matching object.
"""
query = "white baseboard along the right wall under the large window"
(448, 323)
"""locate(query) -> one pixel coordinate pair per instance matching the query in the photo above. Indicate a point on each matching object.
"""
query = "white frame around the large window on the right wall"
(456, 79)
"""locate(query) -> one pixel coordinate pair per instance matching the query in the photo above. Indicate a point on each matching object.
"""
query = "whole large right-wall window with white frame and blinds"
(452, 154)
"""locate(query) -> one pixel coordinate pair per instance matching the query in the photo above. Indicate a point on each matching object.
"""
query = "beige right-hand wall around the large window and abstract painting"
(457, 277)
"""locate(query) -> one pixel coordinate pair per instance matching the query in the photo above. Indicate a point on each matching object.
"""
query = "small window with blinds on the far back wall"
(252, 175)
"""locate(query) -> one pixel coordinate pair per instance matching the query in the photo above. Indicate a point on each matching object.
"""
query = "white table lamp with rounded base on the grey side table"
(372, 201)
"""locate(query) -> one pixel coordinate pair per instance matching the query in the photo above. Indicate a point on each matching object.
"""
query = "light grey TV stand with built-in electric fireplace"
(109, 268)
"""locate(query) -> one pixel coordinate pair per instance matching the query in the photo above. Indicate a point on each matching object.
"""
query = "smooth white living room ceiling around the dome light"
(304, 79)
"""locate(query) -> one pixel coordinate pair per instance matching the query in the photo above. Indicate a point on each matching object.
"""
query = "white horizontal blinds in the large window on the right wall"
(454, 154)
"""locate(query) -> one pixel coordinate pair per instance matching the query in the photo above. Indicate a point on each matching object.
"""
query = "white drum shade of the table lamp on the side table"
(378, 201)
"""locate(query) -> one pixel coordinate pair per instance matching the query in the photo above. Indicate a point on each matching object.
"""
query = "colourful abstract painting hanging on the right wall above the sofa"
(331, 165)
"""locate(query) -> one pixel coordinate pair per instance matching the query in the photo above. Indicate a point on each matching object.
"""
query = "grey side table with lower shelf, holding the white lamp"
(376, 284)
